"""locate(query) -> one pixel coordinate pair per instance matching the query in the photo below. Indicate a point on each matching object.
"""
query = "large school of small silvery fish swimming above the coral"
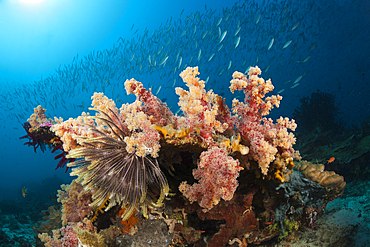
(278, 37)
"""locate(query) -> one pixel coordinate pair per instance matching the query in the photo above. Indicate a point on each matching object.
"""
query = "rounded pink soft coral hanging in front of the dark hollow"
(217, 173)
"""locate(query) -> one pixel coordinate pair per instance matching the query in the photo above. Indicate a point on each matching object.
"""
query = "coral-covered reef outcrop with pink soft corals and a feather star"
(129, 159)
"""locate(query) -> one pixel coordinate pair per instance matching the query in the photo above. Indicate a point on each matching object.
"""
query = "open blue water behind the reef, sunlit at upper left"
(57, 53)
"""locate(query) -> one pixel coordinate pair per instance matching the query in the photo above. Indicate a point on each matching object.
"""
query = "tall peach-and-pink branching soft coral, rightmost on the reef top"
(266, 138)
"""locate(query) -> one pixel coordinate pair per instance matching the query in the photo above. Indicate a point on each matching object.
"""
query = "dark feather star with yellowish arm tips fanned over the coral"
(109, 171)
